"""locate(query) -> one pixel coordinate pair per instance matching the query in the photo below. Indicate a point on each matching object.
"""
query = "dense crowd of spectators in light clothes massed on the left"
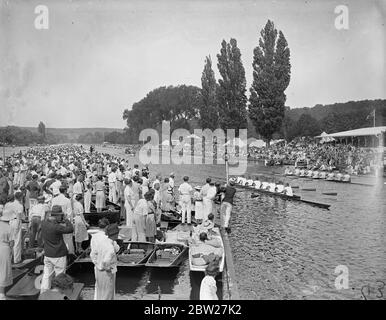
(51, 188)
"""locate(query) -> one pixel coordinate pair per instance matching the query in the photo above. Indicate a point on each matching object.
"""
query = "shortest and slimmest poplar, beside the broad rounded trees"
(209, 113)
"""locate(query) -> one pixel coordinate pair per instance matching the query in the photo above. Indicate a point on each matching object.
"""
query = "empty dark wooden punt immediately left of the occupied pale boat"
(162, 257)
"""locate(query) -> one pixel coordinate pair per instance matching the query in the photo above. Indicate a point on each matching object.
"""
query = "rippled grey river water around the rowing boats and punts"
(281, 249)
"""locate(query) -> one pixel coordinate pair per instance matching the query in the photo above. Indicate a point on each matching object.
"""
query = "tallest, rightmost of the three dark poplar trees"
(271, 77)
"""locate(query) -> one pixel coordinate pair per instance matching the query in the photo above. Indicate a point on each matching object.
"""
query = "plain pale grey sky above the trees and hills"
(97, 58)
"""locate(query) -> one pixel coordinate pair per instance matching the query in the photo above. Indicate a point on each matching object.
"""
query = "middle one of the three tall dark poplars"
(231, 95)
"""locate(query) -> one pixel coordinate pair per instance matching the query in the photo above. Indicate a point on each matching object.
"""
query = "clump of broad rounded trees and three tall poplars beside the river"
(223, 103)
